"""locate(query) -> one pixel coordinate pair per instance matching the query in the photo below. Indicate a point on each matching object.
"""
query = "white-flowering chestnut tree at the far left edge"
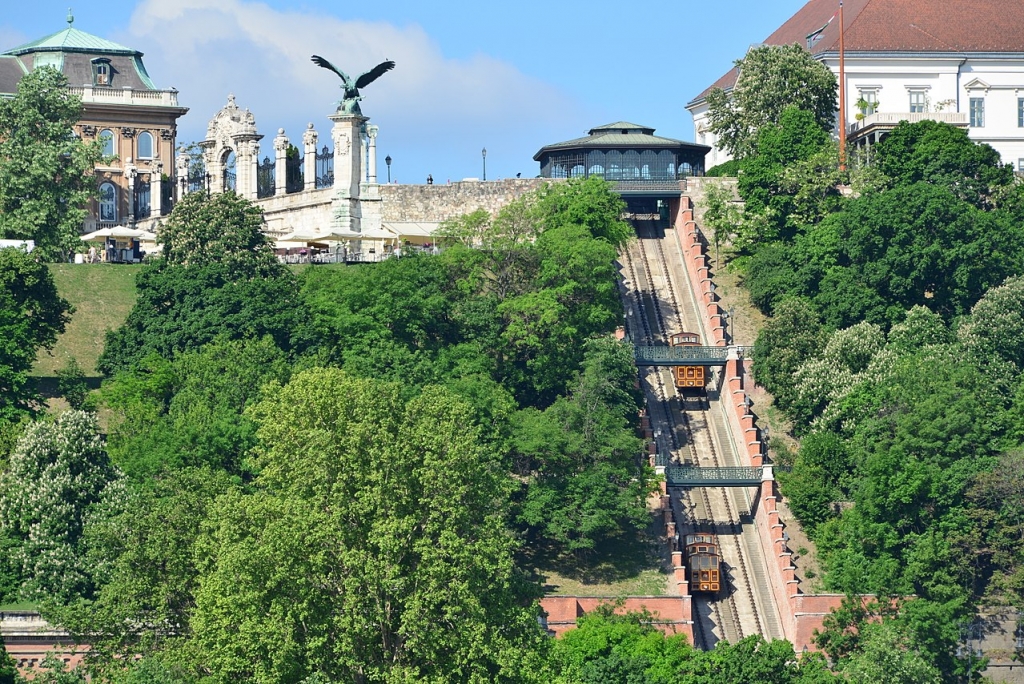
(59, 474)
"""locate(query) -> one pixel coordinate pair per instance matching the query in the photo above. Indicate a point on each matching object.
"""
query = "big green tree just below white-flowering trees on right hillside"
(918, 436)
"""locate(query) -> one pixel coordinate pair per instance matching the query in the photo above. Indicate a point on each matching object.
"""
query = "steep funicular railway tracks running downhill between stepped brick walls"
(691, 432)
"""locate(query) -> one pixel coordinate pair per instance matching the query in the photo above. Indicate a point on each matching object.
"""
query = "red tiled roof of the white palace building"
(904, 26)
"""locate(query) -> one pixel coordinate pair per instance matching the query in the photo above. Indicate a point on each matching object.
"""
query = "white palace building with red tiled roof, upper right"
(960, 62)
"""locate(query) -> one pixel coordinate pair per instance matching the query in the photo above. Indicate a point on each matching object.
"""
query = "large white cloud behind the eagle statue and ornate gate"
(429, 106)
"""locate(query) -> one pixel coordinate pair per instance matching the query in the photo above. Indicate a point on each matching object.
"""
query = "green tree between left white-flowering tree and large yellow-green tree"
(146, 568)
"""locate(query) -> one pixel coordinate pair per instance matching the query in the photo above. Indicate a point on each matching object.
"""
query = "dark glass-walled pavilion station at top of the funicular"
(647, 169)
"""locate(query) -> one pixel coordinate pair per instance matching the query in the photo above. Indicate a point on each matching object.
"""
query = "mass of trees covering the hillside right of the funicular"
(893, 347)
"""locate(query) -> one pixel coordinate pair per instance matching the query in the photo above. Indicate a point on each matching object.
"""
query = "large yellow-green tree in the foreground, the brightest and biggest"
(372, 549)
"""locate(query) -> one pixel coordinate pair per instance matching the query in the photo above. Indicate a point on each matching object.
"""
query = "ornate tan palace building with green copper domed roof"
(136, 120)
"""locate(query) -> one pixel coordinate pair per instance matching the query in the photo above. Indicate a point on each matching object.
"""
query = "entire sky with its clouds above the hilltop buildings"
(507, 76)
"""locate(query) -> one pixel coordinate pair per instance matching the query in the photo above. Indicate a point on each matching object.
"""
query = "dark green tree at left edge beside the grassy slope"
(32, 315)
